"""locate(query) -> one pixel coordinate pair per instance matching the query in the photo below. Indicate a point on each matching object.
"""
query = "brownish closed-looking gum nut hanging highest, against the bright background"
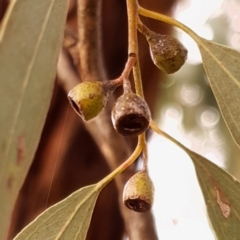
(167, 52)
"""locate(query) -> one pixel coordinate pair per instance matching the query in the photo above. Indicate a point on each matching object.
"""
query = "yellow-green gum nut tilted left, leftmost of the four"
(88, 99)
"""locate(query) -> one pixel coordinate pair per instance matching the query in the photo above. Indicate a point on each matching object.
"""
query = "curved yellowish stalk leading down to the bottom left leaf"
(123, 166)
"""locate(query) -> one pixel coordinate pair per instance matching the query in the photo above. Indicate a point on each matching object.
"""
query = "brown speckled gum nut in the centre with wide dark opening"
(130, 115)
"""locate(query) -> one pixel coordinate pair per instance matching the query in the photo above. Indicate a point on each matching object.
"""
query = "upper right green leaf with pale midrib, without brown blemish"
(222, 67)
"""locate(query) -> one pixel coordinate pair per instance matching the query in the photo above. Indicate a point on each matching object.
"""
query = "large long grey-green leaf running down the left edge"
(30, 40)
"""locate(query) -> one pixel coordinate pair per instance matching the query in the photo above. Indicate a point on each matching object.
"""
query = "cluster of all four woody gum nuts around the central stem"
(130, 113)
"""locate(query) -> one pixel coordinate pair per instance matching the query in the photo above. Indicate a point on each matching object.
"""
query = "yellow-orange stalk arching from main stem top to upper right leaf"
(169, 20)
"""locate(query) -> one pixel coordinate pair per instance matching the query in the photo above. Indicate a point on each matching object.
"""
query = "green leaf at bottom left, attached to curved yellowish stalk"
(68, 219)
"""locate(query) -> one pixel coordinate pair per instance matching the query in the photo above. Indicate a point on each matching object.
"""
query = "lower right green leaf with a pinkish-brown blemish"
(222, 197)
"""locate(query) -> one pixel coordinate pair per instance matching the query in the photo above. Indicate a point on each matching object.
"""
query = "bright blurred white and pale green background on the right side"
(188, 111)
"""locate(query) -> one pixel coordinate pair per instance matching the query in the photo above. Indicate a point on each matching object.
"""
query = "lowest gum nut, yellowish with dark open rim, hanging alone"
(138, 192)
